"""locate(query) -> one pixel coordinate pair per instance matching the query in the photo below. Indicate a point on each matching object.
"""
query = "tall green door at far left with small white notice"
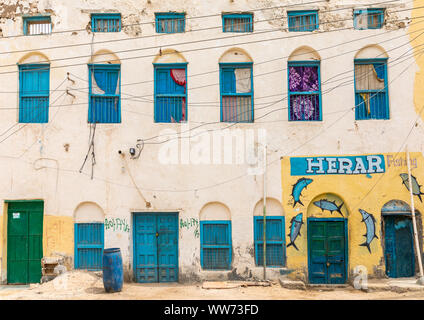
(24, 241)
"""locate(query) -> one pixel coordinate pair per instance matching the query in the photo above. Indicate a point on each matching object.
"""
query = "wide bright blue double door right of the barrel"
(156, 247)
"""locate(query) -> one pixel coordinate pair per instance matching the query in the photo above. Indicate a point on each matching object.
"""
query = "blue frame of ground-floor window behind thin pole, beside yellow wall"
(258, 239)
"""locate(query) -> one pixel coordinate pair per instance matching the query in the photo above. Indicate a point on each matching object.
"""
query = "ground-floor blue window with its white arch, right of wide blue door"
(215, 237)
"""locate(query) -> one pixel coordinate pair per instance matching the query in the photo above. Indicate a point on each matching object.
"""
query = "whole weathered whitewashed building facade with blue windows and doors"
(143, 125)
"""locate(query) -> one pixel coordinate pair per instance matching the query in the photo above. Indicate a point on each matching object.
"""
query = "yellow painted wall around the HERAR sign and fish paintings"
(357, 192)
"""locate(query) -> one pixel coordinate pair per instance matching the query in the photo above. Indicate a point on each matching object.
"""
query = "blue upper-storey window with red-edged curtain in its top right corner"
(170, 92)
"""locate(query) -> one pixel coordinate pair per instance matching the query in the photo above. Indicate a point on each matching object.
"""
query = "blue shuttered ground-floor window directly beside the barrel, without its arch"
(89, 244)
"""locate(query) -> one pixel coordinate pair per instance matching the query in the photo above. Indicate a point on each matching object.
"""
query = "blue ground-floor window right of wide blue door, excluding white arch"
(215, 245)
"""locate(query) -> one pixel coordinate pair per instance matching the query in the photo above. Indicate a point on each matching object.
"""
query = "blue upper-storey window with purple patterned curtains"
(304, 91)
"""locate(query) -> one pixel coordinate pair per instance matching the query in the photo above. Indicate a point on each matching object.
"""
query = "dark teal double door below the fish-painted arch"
(327, 250)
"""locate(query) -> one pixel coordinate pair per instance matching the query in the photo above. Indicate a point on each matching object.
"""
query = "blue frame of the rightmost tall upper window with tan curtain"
(386, 114)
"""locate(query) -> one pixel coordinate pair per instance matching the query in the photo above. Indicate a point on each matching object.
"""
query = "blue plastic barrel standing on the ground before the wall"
(113, 272)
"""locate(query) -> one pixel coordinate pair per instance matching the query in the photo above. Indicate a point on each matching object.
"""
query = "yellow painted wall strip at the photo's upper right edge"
(417, 41)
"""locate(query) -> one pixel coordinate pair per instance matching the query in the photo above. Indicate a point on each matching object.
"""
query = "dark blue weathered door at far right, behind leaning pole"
(399, 246)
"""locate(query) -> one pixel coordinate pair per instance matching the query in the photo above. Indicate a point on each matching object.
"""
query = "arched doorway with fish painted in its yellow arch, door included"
(327, 240)
